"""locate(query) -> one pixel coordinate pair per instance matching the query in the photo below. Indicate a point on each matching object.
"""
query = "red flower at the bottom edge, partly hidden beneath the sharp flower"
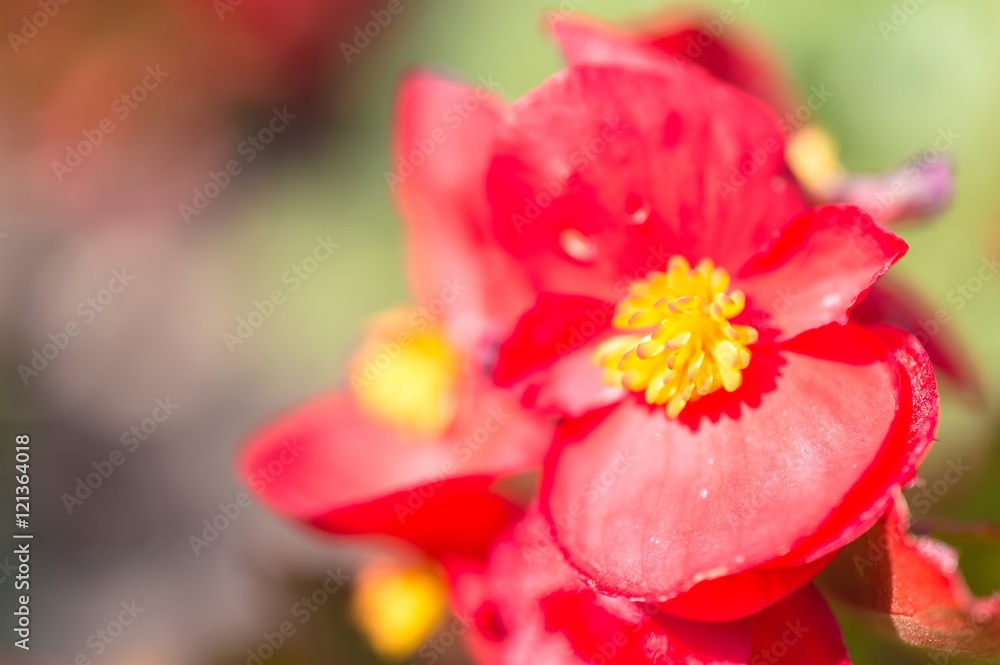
(526, 605)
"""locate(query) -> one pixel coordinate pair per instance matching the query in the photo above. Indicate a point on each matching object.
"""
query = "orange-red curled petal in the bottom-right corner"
(912, 585)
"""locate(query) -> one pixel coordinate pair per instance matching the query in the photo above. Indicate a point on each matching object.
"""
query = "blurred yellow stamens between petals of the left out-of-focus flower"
(407, 373)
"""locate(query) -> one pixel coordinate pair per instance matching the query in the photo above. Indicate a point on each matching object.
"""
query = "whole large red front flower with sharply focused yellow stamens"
(750, 428)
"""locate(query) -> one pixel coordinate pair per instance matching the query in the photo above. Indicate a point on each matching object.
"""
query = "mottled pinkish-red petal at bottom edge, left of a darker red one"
(540, 612)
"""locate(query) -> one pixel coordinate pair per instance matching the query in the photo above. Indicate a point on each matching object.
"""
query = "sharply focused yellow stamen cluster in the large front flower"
(683, 346)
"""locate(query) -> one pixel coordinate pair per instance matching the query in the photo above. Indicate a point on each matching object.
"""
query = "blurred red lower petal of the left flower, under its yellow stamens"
(329, 465)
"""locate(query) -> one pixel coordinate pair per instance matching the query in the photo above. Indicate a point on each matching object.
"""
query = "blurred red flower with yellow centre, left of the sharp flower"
(411, 450)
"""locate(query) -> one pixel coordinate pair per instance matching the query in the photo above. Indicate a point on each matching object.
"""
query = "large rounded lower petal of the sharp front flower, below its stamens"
(647, 507)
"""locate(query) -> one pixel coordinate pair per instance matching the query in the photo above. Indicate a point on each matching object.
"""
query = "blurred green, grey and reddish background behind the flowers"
(230, 69)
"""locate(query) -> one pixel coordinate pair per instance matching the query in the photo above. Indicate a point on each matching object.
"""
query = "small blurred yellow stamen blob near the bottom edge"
(398, 607)
